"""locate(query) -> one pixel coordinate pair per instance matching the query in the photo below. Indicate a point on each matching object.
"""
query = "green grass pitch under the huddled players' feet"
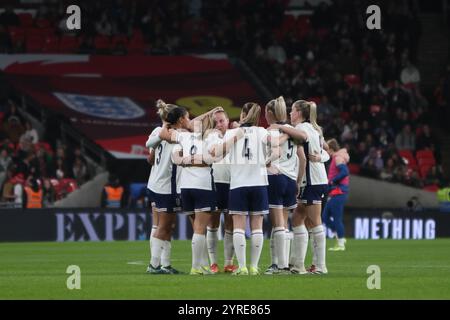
(116, 270)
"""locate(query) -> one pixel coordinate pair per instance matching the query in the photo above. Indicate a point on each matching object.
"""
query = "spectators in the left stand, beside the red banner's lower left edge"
(27, 161)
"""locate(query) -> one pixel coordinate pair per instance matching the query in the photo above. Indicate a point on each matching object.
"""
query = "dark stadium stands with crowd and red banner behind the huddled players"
(200, 54)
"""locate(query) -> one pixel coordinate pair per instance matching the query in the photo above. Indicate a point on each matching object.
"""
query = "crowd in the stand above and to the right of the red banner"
(366, 84)
